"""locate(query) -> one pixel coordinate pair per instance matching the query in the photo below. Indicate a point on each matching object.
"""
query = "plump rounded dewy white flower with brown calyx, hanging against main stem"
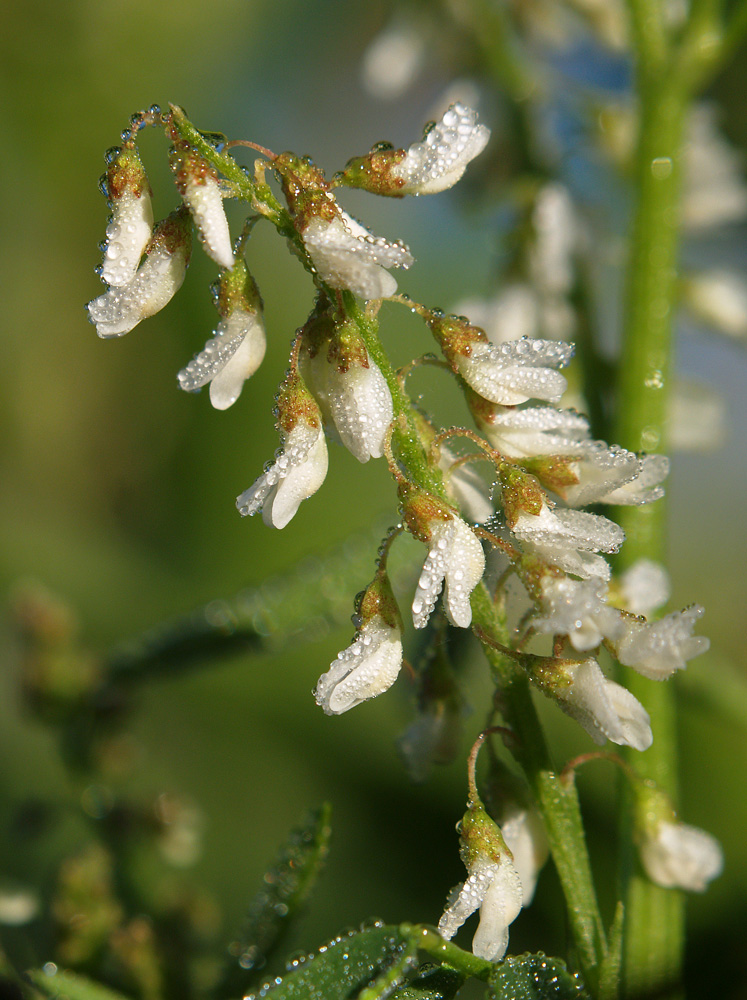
(349, 387)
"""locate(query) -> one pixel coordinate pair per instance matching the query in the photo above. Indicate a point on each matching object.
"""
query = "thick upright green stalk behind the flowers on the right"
(654, 917)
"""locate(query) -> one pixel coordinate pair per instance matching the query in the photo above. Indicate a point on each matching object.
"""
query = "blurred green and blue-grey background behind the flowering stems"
(116, 490)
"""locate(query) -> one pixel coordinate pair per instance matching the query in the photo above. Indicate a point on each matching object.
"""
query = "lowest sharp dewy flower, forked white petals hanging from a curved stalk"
(493, 886)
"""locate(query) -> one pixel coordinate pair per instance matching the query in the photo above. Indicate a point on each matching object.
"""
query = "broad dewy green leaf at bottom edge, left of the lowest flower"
(343, 968)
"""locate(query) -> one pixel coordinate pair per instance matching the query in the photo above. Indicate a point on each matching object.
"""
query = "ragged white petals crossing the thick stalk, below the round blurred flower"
(658, 649)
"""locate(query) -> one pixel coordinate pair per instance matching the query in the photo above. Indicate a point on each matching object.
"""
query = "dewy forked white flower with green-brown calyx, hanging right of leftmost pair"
(237, 347)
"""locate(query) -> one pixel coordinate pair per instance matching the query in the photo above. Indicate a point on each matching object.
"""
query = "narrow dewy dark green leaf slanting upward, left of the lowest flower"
(285, 888)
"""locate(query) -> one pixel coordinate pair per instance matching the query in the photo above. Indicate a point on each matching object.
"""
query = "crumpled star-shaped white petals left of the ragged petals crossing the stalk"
(577, 608)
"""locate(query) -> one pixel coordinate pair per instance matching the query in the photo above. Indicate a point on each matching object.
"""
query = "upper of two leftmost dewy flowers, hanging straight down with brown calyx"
(131, 223)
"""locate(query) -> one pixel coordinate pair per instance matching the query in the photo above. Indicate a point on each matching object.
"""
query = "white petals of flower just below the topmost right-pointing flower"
(345, 255)
